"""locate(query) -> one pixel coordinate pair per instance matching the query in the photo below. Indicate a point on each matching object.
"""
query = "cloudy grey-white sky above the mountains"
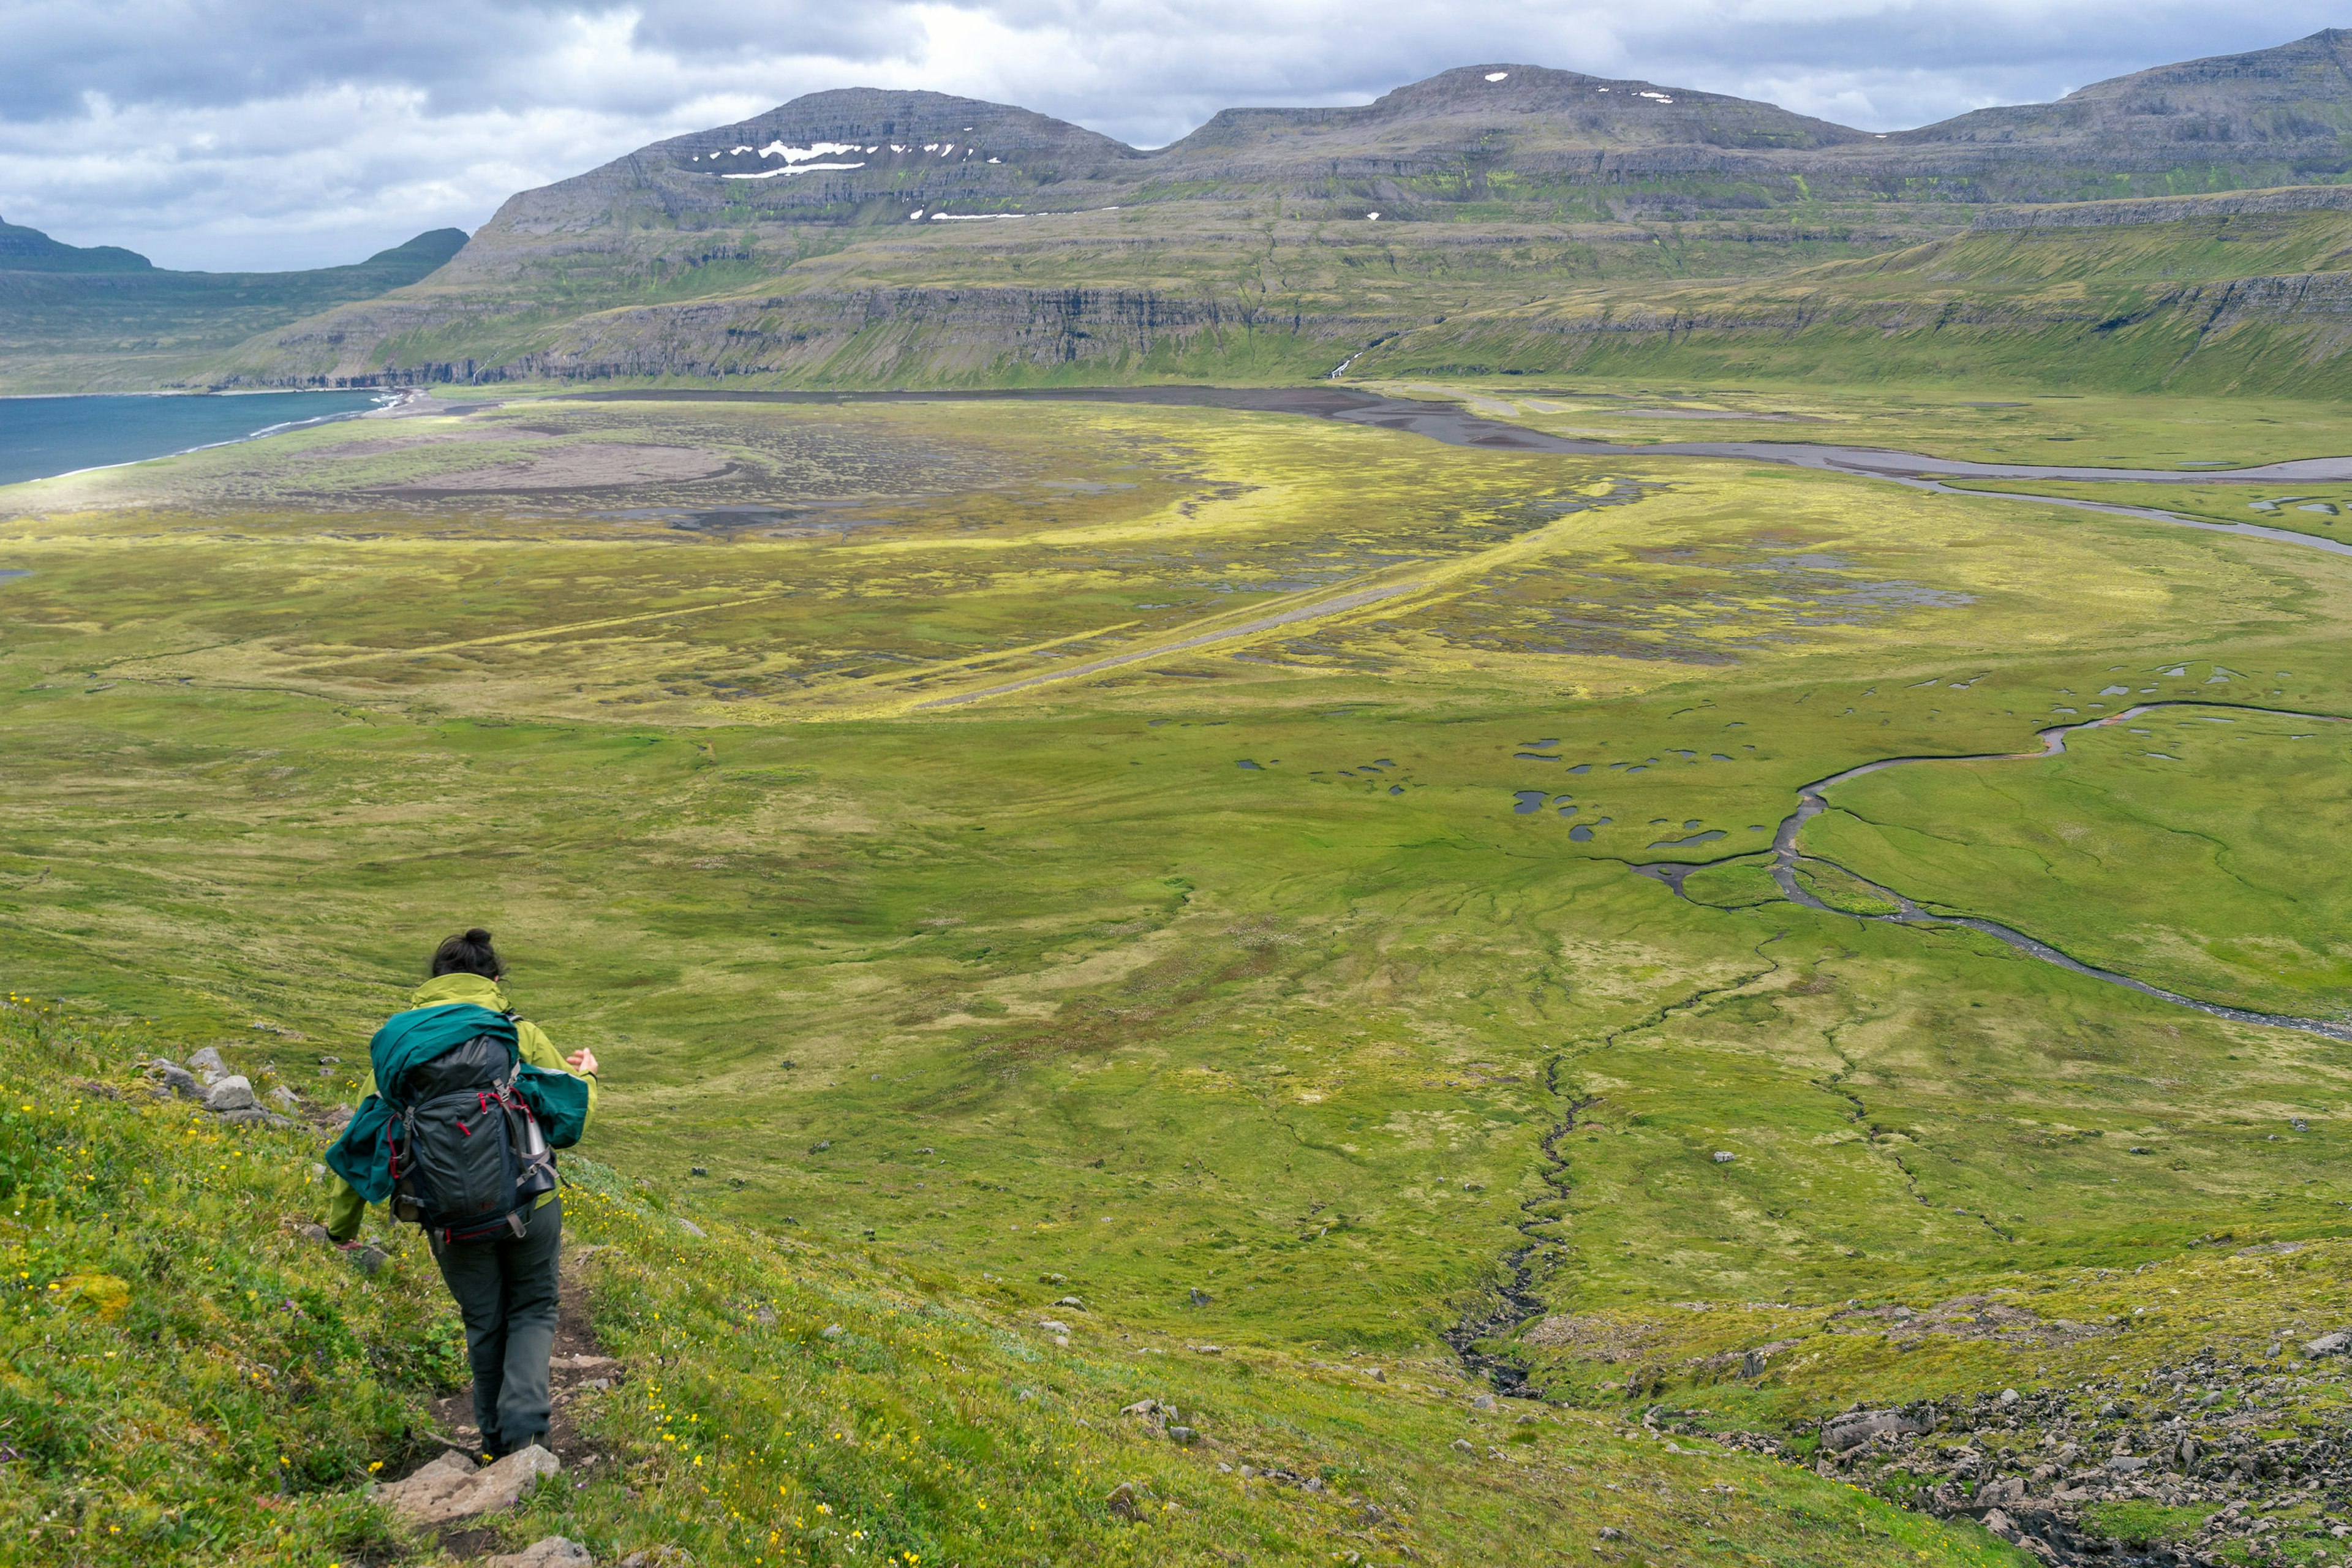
(290, 133)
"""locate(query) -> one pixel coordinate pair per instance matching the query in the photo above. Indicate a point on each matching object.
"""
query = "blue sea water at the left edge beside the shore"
(51, 436)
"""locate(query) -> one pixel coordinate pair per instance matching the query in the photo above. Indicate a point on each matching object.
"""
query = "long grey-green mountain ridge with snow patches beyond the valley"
(987, 241)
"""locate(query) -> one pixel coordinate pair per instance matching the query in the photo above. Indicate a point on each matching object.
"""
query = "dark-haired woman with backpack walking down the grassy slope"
(460, 1115)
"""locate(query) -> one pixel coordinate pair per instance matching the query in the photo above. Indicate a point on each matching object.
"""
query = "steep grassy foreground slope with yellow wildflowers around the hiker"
(189, 1379)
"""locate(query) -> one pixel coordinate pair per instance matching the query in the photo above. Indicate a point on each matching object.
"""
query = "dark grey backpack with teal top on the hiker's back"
(469, 1160)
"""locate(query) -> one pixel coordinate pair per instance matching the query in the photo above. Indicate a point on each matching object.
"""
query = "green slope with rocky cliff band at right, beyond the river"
(2207, 302)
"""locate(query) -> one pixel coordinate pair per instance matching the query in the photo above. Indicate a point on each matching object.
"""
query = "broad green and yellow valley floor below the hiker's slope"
(1078, 850)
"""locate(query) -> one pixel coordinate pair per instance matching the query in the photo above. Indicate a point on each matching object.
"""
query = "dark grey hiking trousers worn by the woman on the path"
(507, 1294)
